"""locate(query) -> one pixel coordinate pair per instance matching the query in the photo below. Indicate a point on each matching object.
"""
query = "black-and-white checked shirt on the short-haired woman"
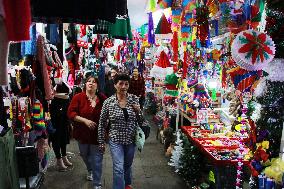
(121, 131)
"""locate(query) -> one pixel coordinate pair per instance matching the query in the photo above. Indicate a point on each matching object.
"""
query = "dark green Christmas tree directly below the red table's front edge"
(192, 163)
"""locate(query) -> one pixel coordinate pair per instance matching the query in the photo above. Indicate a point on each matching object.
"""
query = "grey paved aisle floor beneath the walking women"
(150, 170)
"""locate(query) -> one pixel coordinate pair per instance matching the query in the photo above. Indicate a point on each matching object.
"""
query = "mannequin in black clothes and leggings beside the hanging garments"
(61, 137)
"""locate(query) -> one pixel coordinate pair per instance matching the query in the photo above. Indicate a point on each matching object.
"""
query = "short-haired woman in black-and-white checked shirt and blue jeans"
(123, 112)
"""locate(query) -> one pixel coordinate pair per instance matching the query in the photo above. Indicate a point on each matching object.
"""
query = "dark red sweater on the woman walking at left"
(81, 106)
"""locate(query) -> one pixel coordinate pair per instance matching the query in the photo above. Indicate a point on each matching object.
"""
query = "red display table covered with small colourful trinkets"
(221, 154)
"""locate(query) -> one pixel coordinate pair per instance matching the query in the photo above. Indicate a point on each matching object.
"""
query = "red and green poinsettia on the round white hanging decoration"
(255, 46)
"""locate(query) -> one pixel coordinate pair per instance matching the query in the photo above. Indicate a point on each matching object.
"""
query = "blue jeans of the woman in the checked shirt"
(122, 157)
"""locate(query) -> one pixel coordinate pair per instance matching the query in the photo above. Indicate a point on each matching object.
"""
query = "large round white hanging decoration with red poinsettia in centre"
(253, 50)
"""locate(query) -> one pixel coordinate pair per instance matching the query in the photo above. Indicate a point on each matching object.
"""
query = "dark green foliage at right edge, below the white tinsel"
(272, 114)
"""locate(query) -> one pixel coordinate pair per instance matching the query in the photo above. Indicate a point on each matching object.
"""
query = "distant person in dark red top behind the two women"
(137, 87)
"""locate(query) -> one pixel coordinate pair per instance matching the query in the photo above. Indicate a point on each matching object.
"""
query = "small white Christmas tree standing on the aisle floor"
(177, 153)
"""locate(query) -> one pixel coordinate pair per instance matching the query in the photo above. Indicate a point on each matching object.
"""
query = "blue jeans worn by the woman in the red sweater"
(93, 159)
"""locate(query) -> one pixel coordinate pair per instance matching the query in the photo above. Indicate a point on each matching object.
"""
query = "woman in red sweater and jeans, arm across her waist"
(84, 111)
